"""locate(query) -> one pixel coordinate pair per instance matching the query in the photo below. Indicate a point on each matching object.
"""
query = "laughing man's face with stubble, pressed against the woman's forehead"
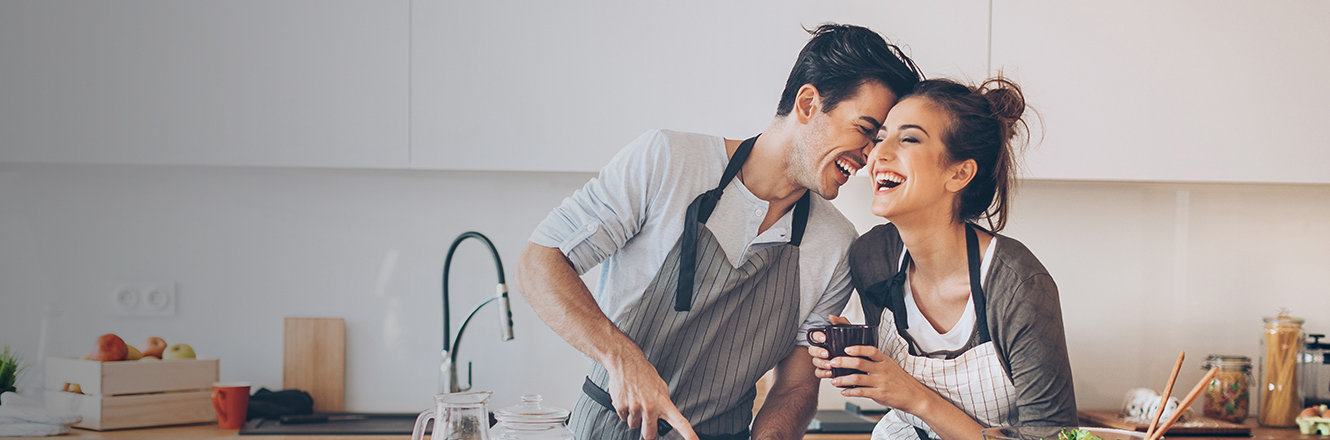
(835, 146)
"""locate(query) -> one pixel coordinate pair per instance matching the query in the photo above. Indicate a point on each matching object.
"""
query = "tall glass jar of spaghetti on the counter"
(1281, 348)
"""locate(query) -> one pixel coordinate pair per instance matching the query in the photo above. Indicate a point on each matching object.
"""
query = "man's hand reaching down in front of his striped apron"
(642, 397)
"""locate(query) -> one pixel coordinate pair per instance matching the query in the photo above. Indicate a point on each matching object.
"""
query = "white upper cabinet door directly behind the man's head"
(563, 86)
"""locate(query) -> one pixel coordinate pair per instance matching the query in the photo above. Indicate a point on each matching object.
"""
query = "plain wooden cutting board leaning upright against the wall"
(315, 361)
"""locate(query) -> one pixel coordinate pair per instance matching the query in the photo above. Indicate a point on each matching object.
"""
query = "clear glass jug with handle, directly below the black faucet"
(457, 417)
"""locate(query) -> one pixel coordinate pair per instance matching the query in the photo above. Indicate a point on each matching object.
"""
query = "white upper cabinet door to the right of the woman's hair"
(1172, 91)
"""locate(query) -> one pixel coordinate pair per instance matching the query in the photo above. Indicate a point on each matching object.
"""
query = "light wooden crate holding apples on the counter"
(134, 394)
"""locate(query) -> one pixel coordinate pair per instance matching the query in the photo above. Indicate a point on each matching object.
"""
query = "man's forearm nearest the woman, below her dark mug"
(792, 402)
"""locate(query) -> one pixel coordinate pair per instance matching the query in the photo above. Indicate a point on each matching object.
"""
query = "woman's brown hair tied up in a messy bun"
(984, 126)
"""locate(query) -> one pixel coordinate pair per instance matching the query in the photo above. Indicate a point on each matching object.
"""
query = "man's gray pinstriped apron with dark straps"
(711, 329)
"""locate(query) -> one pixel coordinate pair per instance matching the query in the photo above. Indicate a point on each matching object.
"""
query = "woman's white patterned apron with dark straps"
(976, 382)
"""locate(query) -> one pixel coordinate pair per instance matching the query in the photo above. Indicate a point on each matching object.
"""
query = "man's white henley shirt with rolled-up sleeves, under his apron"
(632, 215)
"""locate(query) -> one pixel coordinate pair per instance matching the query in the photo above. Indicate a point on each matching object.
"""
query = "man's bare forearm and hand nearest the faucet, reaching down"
(561, 298)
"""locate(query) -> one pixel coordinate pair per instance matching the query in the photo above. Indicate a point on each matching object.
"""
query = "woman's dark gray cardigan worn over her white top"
(1025, 321)
